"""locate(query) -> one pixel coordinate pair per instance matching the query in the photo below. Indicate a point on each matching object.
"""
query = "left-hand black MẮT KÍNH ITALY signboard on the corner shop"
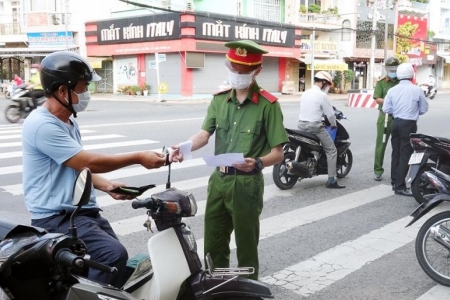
(139, 29)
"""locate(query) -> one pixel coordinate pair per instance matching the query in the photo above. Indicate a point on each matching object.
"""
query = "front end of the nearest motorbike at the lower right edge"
(432, 244)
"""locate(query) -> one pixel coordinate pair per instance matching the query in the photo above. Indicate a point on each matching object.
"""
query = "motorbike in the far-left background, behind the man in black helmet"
(22, 104)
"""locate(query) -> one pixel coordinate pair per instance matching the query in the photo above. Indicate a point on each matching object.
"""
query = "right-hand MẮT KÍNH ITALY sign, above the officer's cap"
(223, 29)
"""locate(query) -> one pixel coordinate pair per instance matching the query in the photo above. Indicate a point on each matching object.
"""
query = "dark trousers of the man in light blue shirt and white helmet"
(401, 150)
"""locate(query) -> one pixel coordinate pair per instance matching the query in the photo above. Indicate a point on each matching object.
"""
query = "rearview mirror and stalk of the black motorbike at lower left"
(80, 196)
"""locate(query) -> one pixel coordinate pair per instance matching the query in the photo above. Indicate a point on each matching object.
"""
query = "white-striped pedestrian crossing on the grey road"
(301, 278)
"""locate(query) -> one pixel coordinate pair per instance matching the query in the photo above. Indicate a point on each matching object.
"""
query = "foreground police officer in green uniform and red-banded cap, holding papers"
(248, 120)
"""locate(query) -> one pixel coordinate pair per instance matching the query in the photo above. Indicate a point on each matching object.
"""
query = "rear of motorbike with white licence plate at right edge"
(428, 152)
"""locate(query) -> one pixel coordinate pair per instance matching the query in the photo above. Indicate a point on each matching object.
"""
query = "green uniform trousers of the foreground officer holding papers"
(234, 202)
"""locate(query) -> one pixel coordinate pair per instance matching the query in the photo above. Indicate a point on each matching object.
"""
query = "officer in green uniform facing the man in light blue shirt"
(383, 125)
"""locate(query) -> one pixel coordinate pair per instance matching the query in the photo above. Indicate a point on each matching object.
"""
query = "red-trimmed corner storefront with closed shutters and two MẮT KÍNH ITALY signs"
(184, 52)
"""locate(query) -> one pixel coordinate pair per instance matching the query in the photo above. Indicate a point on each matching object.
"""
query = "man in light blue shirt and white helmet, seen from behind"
(405, 102)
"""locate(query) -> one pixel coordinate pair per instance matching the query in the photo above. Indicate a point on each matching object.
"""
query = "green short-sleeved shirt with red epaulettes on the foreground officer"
(252, 128)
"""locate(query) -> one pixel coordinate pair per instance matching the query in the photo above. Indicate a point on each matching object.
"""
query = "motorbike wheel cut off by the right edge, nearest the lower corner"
(433, 257)
